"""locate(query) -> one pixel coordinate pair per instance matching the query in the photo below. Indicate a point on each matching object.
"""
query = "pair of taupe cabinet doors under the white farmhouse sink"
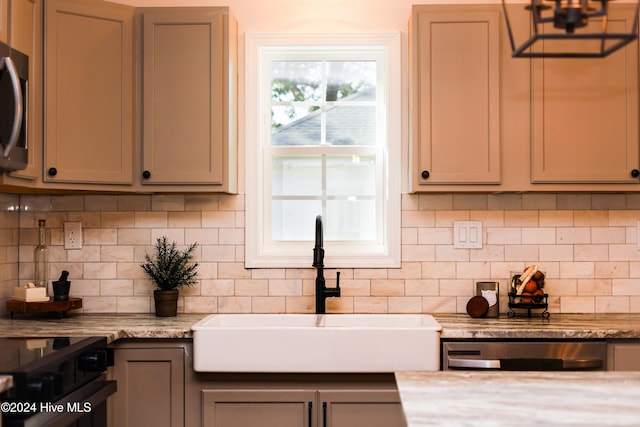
(250, 407)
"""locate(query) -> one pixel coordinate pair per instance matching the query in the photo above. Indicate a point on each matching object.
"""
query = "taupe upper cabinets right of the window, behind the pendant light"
(483, 121)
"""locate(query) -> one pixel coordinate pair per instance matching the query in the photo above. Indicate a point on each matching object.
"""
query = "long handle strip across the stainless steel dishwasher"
(526, 364)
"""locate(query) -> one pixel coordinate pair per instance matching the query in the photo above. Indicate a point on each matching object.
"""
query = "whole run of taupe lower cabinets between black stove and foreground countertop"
(158, 387)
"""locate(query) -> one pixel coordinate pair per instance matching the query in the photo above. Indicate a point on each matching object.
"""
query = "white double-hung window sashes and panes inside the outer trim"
(323, 148)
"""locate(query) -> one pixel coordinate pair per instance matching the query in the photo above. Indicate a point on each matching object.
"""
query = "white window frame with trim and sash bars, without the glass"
(261, 250)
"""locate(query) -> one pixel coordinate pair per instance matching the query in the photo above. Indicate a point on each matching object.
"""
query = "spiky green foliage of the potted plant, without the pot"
(170, 268)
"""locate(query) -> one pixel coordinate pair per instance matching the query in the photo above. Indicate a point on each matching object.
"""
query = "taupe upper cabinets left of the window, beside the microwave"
(165, 123)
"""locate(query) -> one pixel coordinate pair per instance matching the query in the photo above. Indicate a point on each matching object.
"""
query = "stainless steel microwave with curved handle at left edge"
(14, 82)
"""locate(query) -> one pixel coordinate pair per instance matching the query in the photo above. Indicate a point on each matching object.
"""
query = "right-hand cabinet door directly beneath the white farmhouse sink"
(360, 408)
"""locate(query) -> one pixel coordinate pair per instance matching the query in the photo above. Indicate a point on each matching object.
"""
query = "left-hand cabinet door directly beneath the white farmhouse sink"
(258, 408)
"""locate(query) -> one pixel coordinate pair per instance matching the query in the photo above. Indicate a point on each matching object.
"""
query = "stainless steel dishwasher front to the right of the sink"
(525, 355)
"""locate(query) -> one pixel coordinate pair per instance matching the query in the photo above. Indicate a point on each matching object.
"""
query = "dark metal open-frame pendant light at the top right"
(571, 29)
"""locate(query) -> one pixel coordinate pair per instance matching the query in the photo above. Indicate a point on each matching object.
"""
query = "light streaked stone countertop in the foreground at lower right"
(496, 399)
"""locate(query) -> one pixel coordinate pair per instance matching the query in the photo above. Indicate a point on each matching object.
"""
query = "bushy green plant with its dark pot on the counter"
(170, 269)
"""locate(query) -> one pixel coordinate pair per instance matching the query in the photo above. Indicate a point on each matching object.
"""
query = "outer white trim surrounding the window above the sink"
(257, 254)
